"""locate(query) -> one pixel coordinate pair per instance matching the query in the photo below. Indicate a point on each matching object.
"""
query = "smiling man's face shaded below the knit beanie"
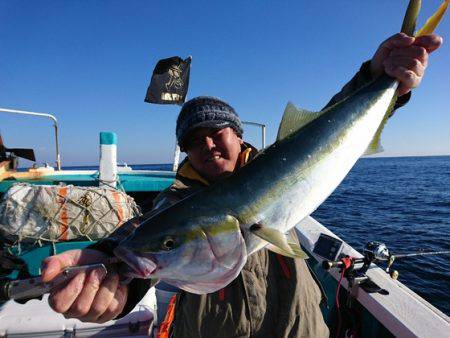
(213, 152)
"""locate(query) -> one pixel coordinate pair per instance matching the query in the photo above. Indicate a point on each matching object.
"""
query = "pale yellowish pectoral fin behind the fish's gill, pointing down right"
(278, 241)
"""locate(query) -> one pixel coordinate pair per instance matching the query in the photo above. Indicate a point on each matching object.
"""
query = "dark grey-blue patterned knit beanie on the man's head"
(206, 112)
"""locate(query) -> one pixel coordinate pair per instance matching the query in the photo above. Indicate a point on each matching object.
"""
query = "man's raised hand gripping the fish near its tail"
(404, 58)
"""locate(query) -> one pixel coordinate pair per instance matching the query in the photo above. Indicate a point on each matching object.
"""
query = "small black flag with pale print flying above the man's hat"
(170, 81)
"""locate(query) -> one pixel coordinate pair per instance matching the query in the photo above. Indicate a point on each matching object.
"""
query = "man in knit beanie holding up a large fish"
(252, 305)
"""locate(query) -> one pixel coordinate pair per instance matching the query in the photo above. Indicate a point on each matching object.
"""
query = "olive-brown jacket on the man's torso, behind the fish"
(273, 296)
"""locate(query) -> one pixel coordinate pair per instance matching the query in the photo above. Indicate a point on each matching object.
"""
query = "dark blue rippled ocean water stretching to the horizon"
(403, 202)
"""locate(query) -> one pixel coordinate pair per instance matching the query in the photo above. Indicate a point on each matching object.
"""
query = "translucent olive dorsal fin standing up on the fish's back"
(293, 119)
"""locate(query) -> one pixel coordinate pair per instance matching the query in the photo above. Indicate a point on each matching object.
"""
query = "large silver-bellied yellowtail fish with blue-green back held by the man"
(201, 243)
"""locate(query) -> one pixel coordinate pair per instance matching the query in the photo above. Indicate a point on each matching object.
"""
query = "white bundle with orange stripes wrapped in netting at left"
(36, 213)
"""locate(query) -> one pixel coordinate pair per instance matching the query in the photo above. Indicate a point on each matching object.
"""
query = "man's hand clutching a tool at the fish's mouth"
(91, 296)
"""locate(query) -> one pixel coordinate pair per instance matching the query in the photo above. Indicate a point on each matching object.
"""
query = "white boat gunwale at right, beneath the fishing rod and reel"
(403, 312)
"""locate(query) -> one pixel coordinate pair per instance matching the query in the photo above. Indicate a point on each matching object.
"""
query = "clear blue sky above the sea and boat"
(90, 62)
